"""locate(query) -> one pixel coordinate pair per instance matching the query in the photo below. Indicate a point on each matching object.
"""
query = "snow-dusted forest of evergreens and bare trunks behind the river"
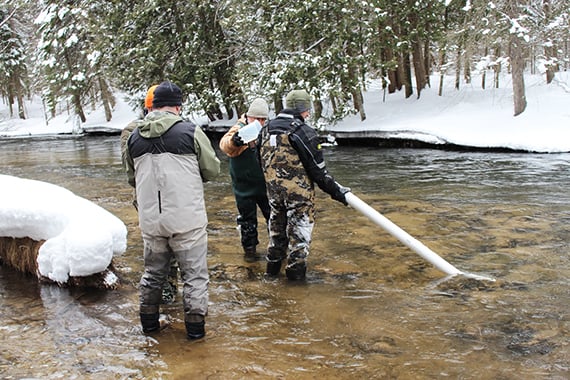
(77, 54)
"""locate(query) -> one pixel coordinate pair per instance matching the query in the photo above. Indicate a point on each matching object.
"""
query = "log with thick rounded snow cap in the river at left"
(48, 231)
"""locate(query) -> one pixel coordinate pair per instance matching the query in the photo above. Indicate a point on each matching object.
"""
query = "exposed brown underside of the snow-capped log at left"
(21, 254)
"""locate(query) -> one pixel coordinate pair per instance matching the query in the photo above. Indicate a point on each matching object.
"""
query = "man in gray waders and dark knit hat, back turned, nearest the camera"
(168, 158)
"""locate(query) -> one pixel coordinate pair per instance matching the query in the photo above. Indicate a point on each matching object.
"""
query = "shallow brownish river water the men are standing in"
(370, 308)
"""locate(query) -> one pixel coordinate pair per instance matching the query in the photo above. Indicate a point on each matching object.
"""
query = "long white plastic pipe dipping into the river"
(402, 235)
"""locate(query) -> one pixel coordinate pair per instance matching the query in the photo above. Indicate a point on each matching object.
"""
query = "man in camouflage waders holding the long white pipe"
(292, 162)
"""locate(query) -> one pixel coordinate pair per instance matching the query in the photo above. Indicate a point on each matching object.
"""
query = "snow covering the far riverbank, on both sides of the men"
(470, 116)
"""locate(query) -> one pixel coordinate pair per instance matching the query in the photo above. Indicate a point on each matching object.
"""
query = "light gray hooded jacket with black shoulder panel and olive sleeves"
(167, 161)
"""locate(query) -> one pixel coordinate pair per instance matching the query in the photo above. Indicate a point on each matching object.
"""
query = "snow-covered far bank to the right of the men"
(475, 117)
